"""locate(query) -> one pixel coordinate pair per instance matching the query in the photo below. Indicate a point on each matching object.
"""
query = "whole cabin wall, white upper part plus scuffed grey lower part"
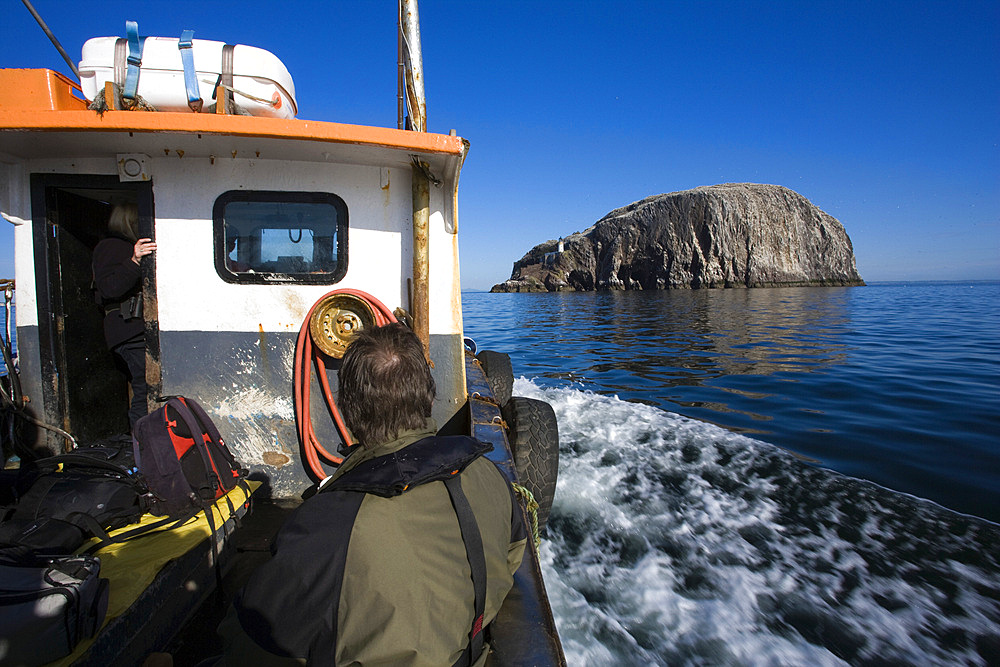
(253, 405)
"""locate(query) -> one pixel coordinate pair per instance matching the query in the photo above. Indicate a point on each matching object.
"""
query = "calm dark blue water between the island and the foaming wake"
(894, 383)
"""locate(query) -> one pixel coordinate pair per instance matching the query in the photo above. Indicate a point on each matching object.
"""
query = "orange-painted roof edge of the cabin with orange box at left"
(30, 113)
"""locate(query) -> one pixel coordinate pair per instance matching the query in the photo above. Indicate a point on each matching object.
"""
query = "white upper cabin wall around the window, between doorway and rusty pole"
(185, 190)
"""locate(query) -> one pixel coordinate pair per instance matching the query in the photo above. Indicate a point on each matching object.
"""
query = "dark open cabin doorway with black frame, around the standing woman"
(84, 391)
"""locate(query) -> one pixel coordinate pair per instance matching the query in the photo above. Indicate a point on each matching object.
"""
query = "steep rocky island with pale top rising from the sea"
(732, 235)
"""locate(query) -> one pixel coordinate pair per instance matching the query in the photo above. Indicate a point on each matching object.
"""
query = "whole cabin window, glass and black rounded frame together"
(280, 237)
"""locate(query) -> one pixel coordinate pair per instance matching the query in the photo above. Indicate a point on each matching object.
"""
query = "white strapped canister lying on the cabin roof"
(261, 84)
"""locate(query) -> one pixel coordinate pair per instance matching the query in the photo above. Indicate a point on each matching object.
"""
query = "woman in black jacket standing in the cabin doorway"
(119, 288)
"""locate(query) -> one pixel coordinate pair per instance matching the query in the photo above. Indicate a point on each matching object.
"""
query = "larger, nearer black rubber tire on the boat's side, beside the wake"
(533, 435)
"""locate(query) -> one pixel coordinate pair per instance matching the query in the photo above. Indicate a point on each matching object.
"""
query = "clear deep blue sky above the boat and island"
(884, 114)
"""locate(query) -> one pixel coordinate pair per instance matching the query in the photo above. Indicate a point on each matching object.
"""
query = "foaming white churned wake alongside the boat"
(672, 541)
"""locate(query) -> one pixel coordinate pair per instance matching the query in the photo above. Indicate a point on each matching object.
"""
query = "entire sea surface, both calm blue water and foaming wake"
(762, 476)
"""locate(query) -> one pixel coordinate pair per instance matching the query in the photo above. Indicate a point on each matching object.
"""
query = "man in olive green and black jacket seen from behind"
(375, 568)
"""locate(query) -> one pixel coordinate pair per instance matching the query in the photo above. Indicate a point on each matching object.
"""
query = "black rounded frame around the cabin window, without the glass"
(278, 196)
